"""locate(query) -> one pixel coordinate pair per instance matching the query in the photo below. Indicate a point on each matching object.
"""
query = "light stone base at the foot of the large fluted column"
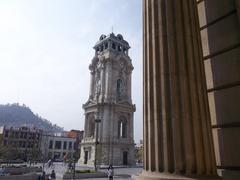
(167, 176)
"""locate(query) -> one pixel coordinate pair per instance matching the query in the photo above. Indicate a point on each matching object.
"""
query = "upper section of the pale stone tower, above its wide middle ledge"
(111, 70)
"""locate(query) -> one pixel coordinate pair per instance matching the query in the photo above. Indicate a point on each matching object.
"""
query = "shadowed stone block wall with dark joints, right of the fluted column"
(220, 33)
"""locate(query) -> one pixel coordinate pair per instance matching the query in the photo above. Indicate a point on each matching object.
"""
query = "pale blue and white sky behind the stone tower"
(46, 48)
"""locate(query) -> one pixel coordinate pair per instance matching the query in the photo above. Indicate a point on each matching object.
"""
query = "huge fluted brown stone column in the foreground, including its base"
(177, 135)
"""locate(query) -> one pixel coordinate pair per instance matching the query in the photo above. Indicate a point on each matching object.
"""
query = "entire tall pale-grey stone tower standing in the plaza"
(108, 131)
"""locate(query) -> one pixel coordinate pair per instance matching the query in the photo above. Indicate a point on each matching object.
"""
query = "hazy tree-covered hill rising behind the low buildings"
(18, 115)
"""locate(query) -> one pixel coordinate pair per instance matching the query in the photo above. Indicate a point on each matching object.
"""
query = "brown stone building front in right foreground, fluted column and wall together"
(191, 56)
